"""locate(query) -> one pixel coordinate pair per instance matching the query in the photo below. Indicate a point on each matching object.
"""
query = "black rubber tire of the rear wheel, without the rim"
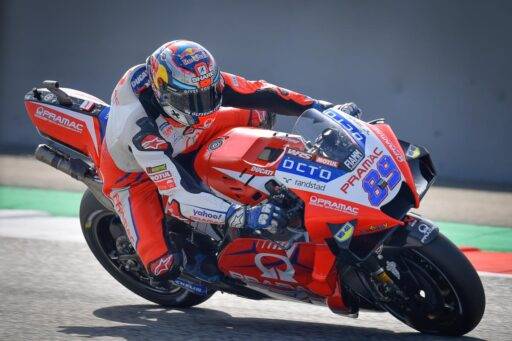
(95, 221)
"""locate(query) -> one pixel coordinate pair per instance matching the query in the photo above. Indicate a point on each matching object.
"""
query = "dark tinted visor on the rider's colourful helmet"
(194, 102)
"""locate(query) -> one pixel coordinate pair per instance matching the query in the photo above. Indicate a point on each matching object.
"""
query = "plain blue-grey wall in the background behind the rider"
(439, 71)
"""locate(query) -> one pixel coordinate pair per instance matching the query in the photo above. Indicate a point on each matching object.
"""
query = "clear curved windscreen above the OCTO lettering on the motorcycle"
(325, 137)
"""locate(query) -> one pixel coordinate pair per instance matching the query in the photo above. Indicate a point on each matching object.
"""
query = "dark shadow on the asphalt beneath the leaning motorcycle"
(154, 322)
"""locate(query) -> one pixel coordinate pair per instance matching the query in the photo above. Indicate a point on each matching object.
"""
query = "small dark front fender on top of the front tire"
(416, 232)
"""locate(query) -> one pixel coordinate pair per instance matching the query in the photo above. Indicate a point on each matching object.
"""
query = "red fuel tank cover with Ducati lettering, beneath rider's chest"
(237, 163)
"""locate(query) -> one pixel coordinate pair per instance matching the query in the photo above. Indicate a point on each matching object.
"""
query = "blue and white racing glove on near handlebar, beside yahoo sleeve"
(267, 217)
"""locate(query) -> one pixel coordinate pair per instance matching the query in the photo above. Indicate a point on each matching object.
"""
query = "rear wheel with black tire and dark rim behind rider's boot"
(107, 240)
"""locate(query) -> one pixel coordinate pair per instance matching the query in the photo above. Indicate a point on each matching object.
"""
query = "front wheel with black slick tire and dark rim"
(444, 294)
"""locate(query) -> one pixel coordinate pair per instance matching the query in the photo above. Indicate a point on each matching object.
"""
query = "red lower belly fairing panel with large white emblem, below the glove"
(305, 267)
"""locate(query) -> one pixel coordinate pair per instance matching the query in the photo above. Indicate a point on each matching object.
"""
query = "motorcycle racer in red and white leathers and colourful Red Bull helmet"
(165, 109)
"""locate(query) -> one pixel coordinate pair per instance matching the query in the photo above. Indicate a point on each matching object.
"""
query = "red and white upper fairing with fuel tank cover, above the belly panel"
(236, 167)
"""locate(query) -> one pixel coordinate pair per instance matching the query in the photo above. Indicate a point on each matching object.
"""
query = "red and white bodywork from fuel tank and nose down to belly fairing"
(237, 164)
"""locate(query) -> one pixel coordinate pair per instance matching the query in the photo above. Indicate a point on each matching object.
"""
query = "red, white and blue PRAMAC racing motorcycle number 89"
(347, 186)
